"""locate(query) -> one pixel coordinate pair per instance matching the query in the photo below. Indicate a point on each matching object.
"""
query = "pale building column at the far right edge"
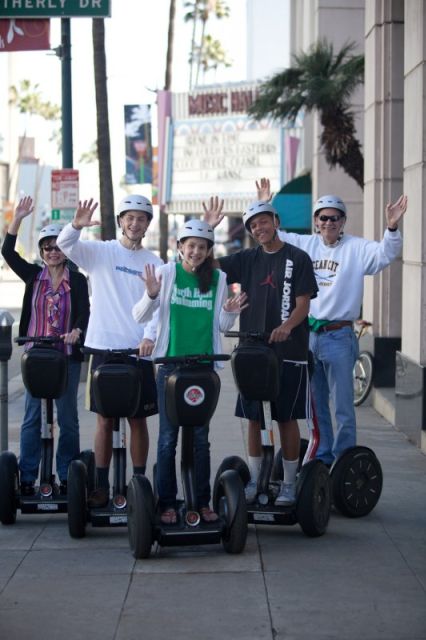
(411, 361)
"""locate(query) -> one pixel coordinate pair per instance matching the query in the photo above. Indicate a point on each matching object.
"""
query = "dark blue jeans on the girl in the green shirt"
(166, 453)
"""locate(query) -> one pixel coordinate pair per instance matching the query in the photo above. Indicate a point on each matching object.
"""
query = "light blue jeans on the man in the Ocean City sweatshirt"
(334, 354)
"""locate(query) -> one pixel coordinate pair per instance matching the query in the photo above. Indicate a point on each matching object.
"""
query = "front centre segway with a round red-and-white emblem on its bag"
(192, 393)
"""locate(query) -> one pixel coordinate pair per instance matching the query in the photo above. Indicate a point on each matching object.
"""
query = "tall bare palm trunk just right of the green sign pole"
(108, 228)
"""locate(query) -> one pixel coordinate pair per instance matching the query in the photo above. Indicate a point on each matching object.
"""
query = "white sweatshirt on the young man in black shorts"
(115, 284)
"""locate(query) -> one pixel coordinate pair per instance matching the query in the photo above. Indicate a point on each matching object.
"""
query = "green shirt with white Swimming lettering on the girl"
(191, 315)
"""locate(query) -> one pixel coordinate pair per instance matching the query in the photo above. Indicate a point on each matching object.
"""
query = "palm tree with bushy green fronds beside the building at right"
(321, 81)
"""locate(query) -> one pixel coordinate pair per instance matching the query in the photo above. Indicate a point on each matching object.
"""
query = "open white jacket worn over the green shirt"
(145, 308)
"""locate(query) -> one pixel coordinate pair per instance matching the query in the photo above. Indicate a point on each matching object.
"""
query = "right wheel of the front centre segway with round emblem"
(230, 504)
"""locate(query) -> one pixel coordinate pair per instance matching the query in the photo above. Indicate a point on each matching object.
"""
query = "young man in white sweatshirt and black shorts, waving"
(114, 269)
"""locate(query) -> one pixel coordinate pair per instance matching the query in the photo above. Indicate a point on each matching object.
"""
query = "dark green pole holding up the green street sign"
(67, 150)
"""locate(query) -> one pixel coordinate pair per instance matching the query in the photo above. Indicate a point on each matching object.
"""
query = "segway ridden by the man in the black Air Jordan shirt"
(255, 367)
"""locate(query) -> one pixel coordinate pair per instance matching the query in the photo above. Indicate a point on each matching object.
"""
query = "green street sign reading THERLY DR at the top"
(55, 8)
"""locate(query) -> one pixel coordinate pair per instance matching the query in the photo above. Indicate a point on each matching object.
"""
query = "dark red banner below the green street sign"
(24, 35)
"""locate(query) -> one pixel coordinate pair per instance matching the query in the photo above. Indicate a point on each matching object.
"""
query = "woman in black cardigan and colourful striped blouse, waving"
(56, 303)
